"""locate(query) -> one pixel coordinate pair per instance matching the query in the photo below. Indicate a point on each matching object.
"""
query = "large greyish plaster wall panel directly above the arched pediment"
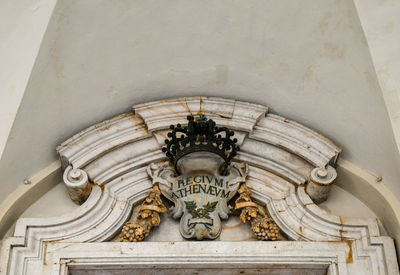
(306, 60)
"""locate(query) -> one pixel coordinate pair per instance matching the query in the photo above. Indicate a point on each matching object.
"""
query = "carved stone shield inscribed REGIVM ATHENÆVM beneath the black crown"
(200, 196)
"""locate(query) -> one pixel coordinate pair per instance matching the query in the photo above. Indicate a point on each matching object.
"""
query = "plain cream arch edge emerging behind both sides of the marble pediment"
(352, 178)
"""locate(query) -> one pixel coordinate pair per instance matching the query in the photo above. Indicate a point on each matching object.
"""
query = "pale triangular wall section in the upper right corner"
(381, 24)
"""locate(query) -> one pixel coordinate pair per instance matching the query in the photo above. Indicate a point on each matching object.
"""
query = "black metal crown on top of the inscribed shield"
(200, 135)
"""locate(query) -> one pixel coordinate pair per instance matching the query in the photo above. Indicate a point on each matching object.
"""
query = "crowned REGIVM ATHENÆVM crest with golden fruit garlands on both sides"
(200, 179)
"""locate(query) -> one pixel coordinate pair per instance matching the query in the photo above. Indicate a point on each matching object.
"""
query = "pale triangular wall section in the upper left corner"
(22, 27)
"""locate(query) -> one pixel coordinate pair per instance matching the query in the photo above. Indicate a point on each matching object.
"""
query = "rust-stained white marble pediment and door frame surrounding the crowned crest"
(116, 153)
